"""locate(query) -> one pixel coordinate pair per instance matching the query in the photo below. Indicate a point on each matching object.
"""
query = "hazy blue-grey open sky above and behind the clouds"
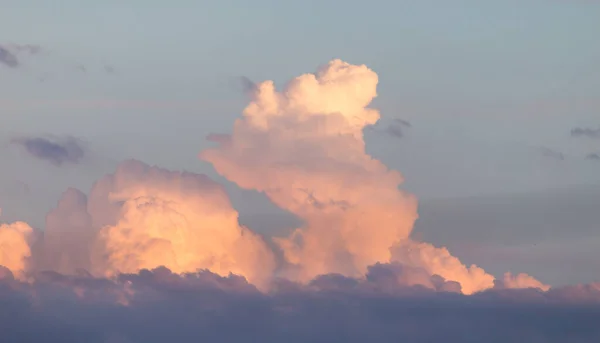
(489, 88)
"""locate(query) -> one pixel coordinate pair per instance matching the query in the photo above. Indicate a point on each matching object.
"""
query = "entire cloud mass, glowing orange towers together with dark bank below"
(152, 255)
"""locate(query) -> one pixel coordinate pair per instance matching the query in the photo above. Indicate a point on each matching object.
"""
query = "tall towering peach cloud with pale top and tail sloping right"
(303, 147)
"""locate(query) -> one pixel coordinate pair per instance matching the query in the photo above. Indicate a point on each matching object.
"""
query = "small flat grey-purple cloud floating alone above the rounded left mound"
(57, 151)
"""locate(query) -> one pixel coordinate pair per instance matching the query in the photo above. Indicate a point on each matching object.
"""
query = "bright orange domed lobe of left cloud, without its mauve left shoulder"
(182, 221)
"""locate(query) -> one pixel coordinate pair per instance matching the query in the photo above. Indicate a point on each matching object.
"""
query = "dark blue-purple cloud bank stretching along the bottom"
(158, 306)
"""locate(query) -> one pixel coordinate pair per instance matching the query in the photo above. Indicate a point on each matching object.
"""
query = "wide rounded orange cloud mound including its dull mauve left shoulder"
(146, 217)
